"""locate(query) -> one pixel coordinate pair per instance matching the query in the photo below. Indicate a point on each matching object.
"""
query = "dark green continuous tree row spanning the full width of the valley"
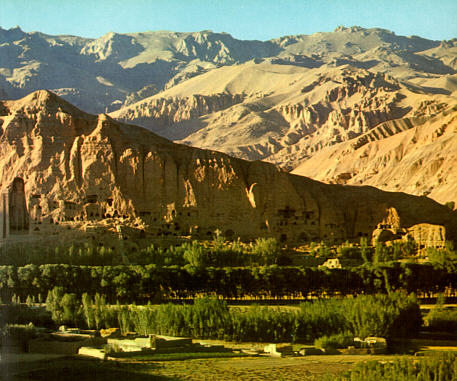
(142, 283)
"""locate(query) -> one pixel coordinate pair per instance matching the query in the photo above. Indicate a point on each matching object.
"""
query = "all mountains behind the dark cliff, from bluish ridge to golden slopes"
(353, 106)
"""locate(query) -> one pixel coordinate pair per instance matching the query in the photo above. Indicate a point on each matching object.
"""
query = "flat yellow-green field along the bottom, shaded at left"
(250, 368)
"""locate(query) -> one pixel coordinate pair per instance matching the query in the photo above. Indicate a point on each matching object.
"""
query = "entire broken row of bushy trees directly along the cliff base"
(213, 253)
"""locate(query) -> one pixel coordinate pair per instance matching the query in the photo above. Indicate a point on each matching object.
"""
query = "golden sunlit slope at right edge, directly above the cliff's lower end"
(419, 160)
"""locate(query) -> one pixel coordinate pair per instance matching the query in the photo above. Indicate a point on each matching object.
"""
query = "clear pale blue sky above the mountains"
(248, 19)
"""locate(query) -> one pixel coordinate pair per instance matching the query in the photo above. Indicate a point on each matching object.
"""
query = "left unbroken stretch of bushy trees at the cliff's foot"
(216, 253)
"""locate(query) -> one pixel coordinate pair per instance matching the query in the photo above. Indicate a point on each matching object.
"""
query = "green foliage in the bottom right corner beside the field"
(439, 367)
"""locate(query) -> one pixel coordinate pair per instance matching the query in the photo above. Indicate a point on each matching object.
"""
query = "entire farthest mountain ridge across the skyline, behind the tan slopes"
(114, 69)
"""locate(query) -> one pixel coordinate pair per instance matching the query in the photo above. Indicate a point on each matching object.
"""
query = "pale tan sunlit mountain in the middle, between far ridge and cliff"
(282, 113)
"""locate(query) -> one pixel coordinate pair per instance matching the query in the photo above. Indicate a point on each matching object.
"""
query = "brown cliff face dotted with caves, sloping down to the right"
(79, 168)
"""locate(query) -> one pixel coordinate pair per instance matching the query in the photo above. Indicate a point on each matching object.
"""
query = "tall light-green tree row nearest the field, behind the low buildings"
(396, 314)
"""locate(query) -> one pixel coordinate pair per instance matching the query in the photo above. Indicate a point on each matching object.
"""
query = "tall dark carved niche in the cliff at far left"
(18, 215)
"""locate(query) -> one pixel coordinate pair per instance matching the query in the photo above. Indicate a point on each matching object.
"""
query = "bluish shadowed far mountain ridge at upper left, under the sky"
(100, 74)
